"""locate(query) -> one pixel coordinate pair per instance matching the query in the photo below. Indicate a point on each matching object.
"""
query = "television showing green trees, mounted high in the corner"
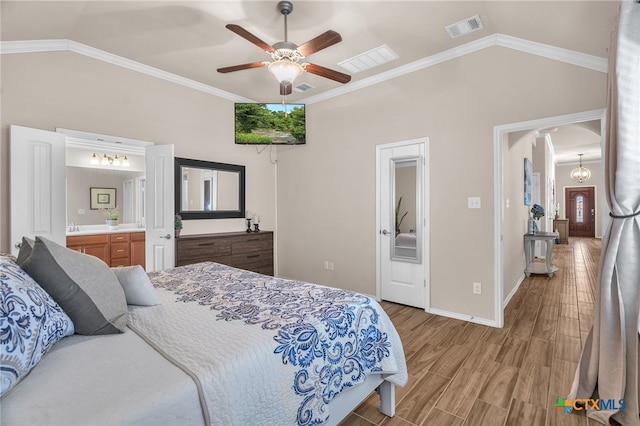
(270, 124)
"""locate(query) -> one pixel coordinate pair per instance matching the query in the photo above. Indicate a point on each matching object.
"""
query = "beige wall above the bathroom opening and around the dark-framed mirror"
(61, 89)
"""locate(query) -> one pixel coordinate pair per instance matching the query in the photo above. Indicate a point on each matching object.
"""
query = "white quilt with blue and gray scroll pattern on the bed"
(266, 350)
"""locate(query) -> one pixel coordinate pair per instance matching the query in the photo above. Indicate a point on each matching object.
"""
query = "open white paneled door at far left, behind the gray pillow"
(38, 196)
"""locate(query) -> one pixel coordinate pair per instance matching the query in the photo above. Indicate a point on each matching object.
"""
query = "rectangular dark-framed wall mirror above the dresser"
(208, 190)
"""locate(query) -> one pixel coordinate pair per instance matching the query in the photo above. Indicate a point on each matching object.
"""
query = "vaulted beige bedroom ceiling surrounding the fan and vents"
(189, 39)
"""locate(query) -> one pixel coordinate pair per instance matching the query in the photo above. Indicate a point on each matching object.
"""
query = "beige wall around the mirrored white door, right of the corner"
(330, 213)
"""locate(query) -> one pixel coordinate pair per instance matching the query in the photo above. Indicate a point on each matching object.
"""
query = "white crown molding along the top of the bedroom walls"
(563, 55)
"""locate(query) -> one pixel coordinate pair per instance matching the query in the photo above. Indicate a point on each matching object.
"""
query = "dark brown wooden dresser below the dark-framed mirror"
(252, 251)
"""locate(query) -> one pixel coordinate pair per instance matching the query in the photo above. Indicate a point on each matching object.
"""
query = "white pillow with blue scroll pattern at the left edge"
(31, 322)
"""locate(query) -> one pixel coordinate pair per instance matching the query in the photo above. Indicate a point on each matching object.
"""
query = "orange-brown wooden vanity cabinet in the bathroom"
(120, 249)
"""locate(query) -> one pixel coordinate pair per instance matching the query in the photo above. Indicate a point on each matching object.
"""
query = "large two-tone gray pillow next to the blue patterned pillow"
(84, 286)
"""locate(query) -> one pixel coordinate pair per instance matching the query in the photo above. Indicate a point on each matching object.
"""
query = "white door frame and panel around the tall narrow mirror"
(401, 281)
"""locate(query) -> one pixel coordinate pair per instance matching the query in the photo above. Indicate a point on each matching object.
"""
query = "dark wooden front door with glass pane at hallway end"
(581, 211)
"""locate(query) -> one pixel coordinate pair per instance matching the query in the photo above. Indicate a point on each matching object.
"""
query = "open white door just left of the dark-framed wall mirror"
(159, 207)
